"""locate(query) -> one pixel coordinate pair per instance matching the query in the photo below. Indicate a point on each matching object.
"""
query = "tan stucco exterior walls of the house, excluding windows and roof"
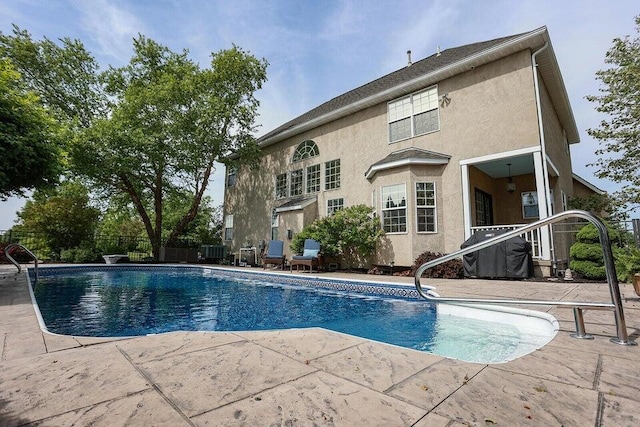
(492, 109)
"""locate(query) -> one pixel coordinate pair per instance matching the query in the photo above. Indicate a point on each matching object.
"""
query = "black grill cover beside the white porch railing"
(509, 259)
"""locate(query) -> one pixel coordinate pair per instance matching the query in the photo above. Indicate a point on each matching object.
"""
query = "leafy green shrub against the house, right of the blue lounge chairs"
(351, 232)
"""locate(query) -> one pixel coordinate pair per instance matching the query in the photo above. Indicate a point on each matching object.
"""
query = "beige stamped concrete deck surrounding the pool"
(317, 377)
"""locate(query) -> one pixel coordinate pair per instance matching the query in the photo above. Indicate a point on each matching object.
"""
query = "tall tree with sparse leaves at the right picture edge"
(619, 133)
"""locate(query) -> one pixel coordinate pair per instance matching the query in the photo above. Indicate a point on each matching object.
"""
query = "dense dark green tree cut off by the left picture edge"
(29, 144)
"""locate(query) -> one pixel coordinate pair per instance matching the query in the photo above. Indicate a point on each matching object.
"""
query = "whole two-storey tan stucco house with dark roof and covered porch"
(470, 138)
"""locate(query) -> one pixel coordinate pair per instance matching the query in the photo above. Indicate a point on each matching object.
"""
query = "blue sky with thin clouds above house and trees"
(320, 49)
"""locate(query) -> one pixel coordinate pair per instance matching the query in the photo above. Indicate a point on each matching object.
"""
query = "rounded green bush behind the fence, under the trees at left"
(64, 217)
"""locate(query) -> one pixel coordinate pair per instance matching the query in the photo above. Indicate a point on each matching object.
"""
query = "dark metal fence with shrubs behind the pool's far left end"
(138, 249)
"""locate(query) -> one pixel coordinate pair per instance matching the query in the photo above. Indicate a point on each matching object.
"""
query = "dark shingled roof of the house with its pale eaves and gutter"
(440, 65)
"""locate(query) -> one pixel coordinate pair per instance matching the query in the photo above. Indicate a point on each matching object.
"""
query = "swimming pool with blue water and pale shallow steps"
(139, 300)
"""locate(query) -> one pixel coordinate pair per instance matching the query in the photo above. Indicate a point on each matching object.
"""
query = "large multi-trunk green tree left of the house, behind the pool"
(169, 122)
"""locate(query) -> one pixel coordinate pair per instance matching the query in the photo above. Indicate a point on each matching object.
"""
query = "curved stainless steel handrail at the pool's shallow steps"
(614, 288)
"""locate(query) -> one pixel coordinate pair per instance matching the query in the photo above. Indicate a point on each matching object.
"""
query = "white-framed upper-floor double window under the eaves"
(413, 115)
